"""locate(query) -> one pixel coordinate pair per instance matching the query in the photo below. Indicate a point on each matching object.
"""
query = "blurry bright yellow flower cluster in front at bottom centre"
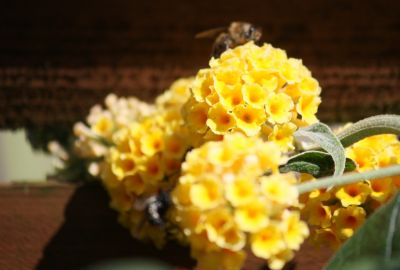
(223, 201)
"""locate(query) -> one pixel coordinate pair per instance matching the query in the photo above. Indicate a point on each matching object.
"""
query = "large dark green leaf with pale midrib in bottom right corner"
(378, 237)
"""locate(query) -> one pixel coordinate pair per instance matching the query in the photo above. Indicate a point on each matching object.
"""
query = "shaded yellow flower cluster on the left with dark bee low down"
(145, 160)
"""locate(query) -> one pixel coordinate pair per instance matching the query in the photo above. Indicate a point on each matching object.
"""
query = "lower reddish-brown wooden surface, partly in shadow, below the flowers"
(55, 226)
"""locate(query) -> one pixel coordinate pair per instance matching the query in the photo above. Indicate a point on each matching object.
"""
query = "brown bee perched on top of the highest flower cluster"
(238, 33)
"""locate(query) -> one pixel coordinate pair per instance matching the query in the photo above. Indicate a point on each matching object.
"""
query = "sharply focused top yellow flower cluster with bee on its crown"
(254, 90)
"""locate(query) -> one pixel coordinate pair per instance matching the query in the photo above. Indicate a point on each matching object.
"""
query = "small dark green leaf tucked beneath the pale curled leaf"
(316, 163)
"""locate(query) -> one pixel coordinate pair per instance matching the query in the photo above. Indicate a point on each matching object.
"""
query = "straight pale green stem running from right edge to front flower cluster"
(348, 179)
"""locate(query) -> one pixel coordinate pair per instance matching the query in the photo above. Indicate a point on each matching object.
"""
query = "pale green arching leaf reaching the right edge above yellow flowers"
(375, 125)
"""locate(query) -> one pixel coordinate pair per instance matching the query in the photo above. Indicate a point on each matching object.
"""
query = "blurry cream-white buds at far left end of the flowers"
(82, 158)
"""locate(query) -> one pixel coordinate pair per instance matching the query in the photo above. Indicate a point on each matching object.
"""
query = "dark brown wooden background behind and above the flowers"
(59, 58)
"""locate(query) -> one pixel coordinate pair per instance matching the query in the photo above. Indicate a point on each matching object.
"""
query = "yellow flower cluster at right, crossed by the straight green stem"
(334, 215)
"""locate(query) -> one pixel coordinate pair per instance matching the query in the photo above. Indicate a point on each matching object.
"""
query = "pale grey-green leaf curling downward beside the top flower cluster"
(322, 135)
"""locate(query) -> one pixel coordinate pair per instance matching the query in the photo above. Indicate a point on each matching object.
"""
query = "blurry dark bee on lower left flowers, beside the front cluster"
(156, 208)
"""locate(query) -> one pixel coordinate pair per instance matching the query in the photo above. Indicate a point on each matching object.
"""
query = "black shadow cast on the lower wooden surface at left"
(91, 234)
